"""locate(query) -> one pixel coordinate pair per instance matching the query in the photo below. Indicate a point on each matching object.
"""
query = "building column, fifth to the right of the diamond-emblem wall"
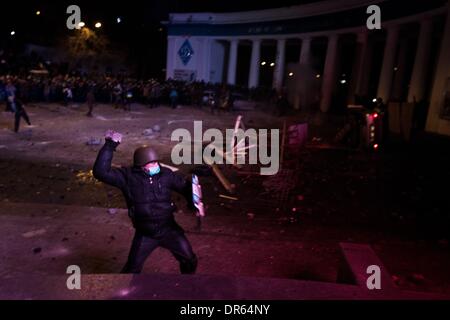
(329, 74)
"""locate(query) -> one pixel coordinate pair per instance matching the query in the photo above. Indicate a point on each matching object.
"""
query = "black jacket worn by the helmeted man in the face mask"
(148, 198)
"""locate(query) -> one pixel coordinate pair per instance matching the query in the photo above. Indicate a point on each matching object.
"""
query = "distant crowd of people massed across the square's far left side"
(27, 79)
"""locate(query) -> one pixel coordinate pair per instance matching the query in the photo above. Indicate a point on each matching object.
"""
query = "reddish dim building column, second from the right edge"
(421, 62)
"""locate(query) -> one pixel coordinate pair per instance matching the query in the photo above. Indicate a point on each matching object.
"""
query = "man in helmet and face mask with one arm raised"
(147, 188)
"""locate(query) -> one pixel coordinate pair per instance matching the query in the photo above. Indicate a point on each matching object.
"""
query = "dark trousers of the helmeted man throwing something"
(173, 240)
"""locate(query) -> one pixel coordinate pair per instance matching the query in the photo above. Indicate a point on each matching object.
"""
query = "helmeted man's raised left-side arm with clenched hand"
(102, 167)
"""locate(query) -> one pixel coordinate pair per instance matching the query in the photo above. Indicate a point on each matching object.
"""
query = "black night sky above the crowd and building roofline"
(140, 34)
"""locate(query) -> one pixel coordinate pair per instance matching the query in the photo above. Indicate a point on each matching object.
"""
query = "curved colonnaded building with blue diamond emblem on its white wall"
(322, 53)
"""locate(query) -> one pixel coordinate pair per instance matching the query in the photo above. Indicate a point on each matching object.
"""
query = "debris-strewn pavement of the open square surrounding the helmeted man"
(53, 214)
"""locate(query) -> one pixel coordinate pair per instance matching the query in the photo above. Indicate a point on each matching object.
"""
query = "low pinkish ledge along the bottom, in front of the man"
(195, 287)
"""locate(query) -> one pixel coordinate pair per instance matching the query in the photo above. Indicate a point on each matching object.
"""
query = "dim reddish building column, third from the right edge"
(387, 70)
